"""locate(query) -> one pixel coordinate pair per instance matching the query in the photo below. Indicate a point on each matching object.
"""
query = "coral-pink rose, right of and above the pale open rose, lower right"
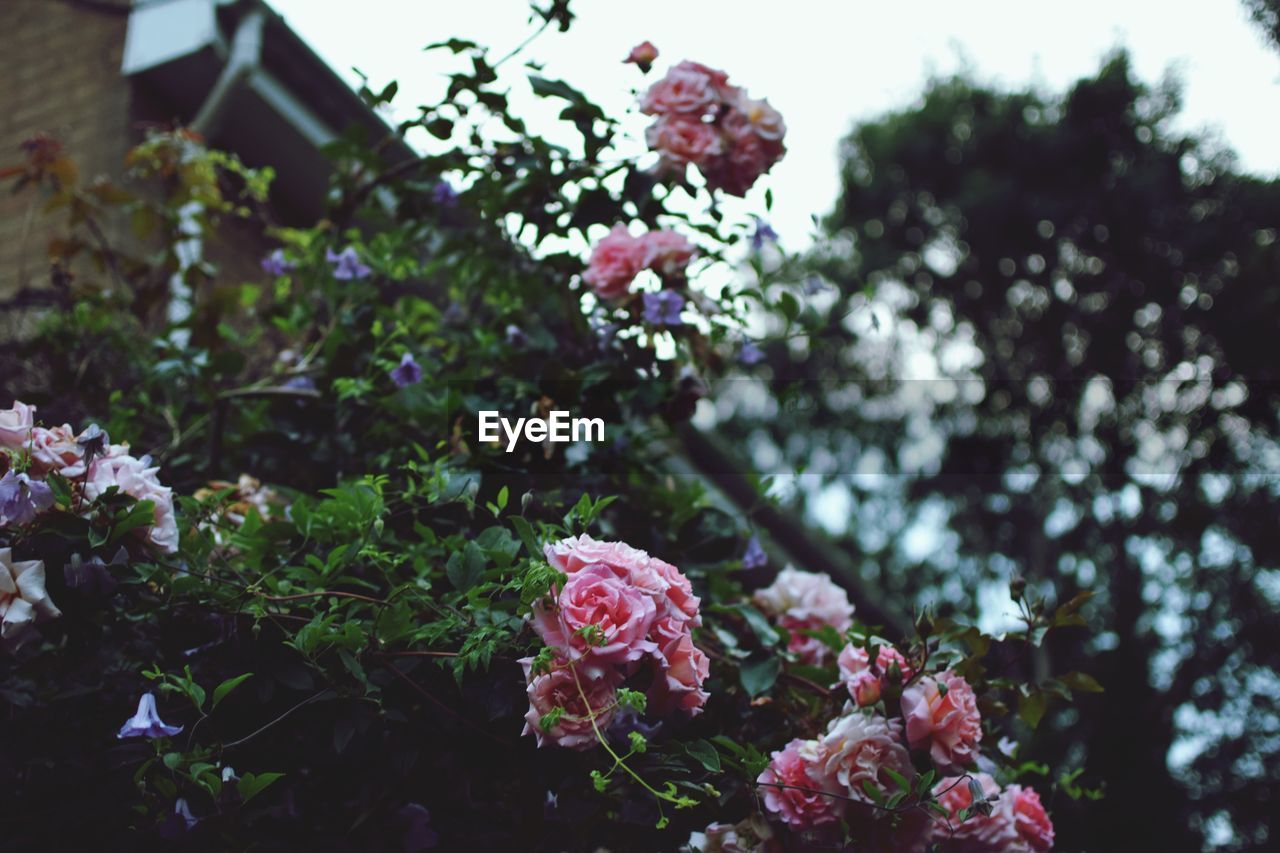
(941, 714)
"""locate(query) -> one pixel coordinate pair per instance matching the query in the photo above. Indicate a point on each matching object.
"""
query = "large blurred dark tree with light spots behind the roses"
(1090, 303)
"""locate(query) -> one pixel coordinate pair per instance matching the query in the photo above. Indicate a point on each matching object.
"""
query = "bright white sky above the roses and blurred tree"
(825, 65)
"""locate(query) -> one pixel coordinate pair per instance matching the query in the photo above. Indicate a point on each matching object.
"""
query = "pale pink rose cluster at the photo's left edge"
(86, 459)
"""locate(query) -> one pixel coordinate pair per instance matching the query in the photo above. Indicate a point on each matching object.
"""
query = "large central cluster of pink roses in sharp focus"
(618, 610)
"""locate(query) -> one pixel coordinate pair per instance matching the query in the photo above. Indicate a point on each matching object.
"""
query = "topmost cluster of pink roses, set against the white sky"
(703, 121)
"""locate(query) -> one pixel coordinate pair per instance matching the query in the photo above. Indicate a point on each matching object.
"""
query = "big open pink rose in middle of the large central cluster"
(597, 596)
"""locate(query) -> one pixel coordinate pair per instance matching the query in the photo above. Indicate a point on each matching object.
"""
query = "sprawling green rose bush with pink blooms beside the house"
(341, 608)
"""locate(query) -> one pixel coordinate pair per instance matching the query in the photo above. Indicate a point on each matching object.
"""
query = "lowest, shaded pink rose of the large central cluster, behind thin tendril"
(560, 688)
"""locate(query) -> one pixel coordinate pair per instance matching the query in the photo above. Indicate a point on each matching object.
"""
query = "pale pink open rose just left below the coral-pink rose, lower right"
(860, 747)
